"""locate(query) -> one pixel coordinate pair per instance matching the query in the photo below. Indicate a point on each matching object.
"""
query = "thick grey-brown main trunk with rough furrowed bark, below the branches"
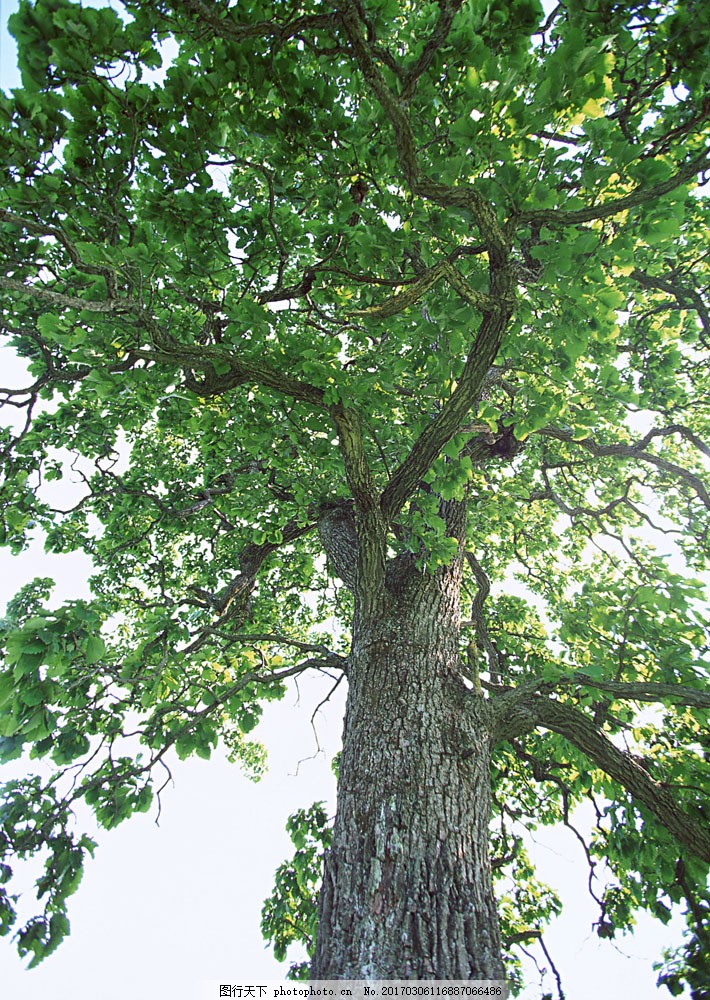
(407, 885)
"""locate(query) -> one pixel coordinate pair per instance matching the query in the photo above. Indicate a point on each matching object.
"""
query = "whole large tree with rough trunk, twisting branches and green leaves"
(344, 314)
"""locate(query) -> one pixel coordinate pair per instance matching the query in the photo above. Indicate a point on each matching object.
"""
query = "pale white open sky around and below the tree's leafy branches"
(164, 907)
